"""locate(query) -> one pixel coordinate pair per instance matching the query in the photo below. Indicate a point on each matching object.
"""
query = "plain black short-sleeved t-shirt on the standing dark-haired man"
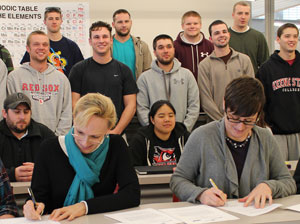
(113, 79)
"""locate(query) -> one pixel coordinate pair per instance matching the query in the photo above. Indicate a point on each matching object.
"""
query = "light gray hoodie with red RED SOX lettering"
(50, 95)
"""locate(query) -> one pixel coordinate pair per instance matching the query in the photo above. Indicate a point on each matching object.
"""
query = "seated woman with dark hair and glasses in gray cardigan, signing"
(242, 158)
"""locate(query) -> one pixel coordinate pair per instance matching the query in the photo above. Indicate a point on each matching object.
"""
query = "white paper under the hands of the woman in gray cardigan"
(238, 207)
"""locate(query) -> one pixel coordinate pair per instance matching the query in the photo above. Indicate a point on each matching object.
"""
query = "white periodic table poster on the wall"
(18, 20)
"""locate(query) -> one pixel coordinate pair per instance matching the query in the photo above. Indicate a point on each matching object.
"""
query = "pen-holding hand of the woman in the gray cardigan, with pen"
(213, 196)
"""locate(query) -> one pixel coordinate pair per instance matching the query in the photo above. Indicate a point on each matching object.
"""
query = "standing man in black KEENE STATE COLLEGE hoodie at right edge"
(280, 76)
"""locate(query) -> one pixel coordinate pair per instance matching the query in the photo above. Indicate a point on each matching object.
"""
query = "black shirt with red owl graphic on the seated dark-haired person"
(164, 152)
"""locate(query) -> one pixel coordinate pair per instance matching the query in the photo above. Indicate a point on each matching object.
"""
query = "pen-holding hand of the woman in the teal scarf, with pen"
(32, 209)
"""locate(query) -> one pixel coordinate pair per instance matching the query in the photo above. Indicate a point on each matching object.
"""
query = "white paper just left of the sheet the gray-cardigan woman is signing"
(199, 214)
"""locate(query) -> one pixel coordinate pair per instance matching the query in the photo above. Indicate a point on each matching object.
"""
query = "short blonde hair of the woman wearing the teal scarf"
(94, 104)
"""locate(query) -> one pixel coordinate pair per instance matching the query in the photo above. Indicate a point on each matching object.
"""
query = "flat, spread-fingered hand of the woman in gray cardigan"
(259, 194)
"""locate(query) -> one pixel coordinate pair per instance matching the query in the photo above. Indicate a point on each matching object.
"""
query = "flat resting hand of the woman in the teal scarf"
(70, 212)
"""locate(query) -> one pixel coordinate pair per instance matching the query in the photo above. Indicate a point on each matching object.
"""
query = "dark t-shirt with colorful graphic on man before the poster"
(63, 55)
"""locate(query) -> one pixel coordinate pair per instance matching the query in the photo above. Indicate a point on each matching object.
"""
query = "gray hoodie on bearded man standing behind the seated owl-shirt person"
(179, 83)
